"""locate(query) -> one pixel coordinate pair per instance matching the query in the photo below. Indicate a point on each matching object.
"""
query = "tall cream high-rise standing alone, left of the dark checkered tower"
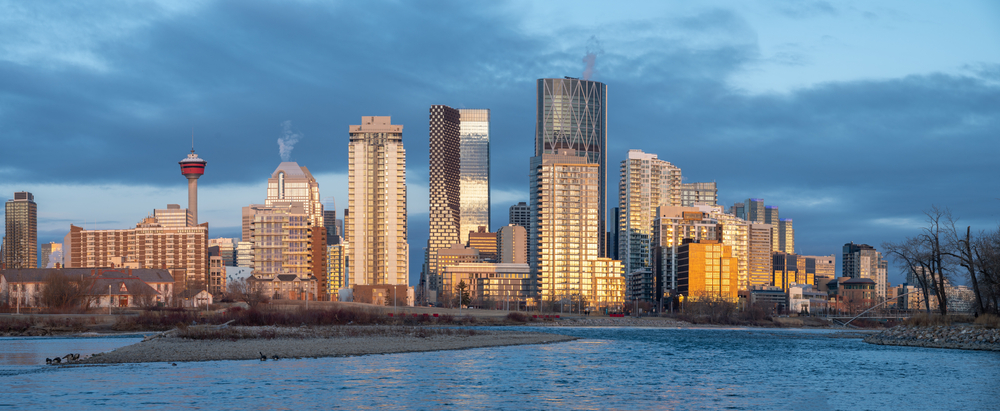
(375, 227)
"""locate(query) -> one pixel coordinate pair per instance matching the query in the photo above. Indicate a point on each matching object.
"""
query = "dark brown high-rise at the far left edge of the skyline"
(20, 246)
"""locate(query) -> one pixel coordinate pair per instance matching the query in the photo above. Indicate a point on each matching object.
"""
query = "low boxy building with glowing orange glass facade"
(707, 269)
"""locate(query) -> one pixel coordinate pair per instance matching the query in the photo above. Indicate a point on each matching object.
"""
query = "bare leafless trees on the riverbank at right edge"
(942, 252)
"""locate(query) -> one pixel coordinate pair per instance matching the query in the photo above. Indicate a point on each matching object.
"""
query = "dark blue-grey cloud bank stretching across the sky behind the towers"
(848, 161)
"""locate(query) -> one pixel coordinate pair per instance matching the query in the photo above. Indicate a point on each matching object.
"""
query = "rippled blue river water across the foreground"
(608, 368)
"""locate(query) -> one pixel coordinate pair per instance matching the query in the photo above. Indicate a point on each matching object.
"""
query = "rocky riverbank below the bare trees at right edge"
(965, 337)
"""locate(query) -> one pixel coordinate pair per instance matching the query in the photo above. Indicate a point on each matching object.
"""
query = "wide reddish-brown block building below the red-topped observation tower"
(182, 251)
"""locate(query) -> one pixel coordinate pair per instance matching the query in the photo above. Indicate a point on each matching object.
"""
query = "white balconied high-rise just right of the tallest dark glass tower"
(645, 183)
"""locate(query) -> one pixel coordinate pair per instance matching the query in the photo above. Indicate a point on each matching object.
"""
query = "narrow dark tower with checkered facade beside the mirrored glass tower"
(444, 188)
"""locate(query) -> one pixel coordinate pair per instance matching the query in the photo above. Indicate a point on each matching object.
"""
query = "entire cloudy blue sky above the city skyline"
(851, 117)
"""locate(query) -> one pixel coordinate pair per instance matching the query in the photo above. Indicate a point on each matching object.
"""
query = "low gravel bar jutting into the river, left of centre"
(333, 341)
